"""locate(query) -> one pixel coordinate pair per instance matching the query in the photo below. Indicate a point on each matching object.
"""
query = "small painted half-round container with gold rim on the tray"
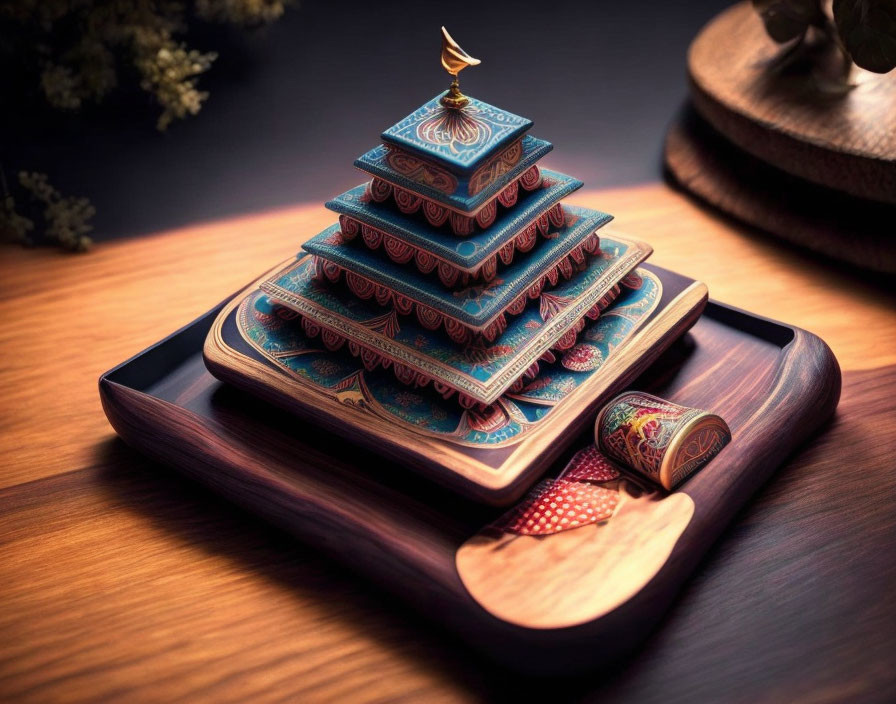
(659, 439)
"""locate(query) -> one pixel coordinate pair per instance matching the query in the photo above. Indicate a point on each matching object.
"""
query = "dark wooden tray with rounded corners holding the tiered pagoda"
(561, 602)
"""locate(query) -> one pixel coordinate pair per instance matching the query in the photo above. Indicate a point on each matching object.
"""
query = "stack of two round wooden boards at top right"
(789, 149)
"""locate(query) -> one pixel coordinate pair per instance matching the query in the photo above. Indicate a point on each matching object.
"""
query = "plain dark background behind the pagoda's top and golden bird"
(293, 104)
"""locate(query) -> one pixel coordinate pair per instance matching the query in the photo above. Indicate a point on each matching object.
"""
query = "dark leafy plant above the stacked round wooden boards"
(864, 30)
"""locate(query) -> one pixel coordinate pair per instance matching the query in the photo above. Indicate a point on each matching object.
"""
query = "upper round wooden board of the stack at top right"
(797, 118)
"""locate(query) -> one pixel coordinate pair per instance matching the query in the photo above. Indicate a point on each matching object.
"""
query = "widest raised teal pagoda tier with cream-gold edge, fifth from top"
(481, 372)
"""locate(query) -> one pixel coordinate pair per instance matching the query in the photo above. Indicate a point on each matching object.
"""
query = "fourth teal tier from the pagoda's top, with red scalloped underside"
(558, 256)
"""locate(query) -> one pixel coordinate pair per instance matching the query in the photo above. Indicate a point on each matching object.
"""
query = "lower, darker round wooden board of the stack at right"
(829, 222)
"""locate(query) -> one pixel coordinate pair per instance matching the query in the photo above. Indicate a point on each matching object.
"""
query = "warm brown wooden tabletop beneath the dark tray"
(121, 580)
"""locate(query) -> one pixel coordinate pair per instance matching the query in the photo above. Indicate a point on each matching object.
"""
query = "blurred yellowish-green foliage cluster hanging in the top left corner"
(81, 46)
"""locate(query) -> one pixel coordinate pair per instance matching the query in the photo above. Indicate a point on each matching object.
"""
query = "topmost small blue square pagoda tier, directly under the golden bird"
(460, 140)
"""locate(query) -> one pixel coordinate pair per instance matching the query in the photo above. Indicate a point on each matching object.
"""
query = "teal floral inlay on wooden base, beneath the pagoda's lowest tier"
(274, 334)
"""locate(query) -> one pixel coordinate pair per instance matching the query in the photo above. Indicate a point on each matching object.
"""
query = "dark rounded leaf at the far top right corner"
(867, 29)
